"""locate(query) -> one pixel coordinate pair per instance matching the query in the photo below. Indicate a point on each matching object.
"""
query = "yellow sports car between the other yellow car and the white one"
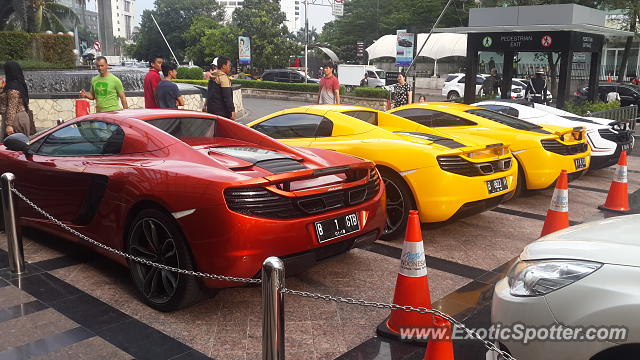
(541, 151)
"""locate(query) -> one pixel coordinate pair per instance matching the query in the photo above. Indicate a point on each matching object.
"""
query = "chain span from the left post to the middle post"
(131, 257)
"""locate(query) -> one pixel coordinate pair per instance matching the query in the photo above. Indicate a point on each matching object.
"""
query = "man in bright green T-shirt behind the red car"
(106, 88)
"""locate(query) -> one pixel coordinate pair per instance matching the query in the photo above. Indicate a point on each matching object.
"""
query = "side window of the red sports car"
(89, 137)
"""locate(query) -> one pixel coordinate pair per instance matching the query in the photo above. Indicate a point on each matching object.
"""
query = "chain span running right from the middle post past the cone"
(421, 310)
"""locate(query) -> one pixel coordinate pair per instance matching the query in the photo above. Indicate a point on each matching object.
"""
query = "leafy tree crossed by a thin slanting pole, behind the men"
(175, 19)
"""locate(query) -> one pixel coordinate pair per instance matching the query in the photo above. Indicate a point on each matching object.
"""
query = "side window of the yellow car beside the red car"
(290, 126)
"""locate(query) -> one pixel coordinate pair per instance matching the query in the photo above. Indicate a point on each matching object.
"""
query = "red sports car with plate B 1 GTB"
(193, 191)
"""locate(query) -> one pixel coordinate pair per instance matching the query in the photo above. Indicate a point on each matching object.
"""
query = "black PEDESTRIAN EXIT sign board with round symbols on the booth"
(537, 41)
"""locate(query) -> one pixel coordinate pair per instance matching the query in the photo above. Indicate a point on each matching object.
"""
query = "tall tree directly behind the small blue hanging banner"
(263, 22)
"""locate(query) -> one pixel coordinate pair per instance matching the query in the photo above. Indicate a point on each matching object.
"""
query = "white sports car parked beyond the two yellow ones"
(605, 138)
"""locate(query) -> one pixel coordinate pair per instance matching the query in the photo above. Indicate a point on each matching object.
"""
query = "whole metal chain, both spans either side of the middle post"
(338, 299)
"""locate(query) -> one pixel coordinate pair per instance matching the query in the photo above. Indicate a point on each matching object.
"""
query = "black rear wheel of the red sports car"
(155, 236)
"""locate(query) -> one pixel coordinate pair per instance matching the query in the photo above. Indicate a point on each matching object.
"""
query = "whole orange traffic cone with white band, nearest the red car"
(412, 288)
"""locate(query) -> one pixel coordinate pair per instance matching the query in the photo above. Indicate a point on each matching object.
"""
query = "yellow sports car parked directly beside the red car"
(440, 175)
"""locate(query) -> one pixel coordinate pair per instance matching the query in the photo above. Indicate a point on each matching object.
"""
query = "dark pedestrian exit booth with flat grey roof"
(572, 34)
